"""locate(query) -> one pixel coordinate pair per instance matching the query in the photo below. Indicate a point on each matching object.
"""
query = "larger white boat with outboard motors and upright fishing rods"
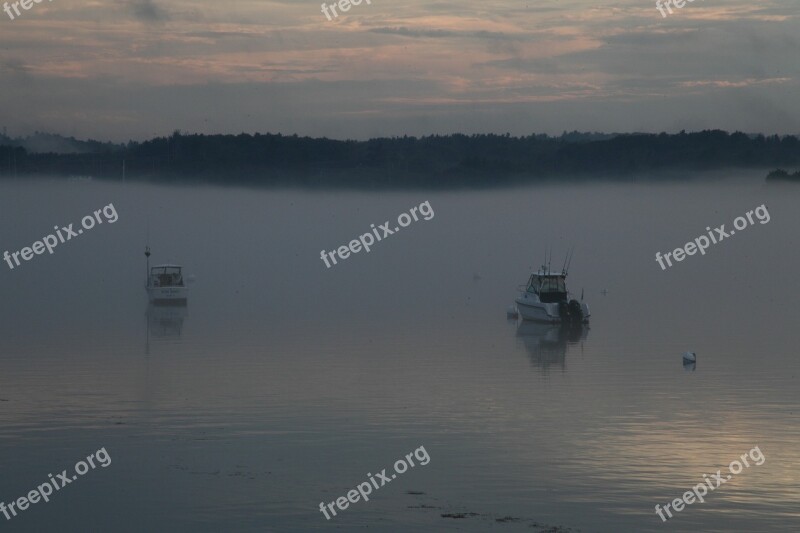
(545, 299)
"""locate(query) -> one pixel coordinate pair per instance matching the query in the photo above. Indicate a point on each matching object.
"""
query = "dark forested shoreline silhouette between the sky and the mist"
(438, 160)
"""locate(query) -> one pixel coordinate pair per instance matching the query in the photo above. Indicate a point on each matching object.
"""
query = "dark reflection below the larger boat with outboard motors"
(547, 344)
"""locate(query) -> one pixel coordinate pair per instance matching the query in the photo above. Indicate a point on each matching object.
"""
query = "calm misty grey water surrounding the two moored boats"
(283, 383)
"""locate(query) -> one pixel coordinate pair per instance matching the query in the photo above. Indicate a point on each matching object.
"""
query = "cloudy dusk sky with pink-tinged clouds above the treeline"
(133, 69)
